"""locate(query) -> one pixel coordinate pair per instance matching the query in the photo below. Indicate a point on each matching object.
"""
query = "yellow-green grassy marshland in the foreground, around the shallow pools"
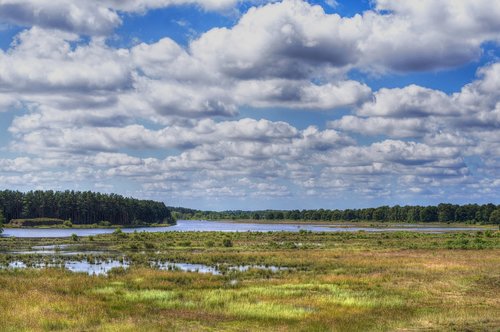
(332, 282)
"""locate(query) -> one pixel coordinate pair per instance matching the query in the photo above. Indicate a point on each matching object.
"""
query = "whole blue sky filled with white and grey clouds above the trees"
(253, 104)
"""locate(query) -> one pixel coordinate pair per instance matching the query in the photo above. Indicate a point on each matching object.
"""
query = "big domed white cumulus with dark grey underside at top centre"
(290, 39)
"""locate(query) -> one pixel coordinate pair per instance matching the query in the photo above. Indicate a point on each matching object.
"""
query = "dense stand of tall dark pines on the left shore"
(83, 208)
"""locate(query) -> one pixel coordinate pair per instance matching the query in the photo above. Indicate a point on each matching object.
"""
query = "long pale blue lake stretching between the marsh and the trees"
(225, 226)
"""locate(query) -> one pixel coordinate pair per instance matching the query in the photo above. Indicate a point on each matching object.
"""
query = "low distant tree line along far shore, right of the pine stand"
(446, 213)
